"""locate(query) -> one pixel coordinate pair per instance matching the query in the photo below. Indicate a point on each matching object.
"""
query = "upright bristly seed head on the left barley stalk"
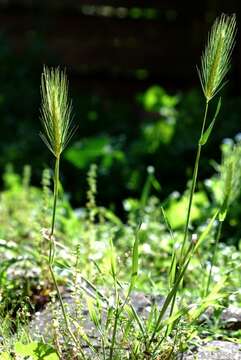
(56, 110)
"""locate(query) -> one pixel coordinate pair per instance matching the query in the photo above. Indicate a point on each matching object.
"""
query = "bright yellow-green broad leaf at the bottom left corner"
(36, 351)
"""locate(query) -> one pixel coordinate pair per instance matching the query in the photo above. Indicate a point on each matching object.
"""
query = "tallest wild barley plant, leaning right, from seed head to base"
(215, 63)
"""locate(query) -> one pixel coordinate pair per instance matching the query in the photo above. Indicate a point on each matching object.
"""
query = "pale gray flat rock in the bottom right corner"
(215, 350)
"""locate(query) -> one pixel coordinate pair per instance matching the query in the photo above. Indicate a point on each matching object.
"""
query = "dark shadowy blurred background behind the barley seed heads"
(113, 51)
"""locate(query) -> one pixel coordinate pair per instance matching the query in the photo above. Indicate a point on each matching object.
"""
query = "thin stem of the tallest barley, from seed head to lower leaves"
(194, 182)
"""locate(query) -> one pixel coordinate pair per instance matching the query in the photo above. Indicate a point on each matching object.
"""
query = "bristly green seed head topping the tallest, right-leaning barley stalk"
(215, 62)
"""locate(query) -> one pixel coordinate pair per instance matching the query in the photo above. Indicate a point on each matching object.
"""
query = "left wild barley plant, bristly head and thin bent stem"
(56, 118)
